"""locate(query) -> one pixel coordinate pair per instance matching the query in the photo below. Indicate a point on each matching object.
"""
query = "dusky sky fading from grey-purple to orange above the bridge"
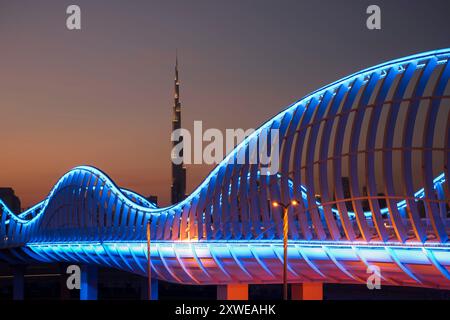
(103, 96)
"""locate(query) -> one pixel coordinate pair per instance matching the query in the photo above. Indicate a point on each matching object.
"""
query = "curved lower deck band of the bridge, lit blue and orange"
(229, 262)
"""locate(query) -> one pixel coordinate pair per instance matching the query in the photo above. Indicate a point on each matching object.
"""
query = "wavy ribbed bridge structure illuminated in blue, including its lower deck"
(366, 157)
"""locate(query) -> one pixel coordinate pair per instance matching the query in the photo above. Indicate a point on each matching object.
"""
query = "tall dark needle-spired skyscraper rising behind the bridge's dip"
(178, 191)
